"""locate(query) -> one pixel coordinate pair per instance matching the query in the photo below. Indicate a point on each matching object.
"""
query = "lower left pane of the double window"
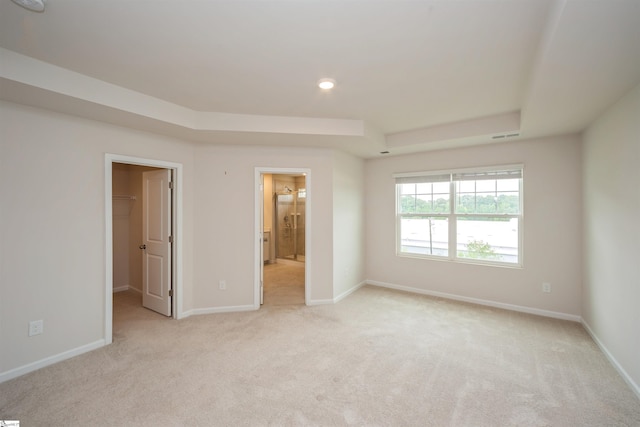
(424, 236)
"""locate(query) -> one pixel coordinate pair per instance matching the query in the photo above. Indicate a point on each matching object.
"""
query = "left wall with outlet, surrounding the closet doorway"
(52, 227)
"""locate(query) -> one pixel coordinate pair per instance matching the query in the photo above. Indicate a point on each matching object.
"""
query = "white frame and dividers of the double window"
(452, 216)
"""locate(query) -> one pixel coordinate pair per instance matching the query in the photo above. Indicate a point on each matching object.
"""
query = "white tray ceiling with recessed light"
(411, 75)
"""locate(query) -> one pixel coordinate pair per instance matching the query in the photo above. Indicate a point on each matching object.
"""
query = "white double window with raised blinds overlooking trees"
(466, 215)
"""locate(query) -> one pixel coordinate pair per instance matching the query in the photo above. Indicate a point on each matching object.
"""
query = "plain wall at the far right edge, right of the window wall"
(611, 299)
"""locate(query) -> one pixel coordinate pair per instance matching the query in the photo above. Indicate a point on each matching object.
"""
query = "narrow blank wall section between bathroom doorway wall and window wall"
(348, 223)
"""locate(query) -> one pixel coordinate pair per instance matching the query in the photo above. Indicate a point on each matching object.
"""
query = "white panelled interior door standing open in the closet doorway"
(156, 241)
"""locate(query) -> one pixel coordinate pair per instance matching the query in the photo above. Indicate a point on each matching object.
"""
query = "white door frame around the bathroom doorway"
(259, 208)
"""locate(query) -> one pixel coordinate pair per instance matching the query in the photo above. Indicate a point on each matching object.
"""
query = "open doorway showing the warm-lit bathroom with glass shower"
(283, 222)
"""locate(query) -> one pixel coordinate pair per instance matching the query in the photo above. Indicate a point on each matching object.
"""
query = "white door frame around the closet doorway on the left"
(109, 160)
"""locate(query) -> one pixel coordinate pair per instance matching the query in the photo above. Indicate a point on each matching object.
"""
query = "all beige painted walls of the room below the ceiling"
(52, 242)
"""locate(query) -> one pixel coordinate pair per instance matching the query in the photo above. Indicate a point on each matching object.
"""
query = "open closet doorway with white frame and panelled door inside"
(148, 193)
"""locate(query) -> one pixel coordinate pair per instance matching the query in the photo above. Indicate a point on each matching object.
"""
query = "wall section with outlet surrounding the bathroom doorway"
(224, 216)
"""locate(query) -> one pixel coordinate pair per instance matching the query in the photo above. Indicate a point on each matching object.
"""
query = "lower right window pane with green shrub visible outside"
(489, 239)
